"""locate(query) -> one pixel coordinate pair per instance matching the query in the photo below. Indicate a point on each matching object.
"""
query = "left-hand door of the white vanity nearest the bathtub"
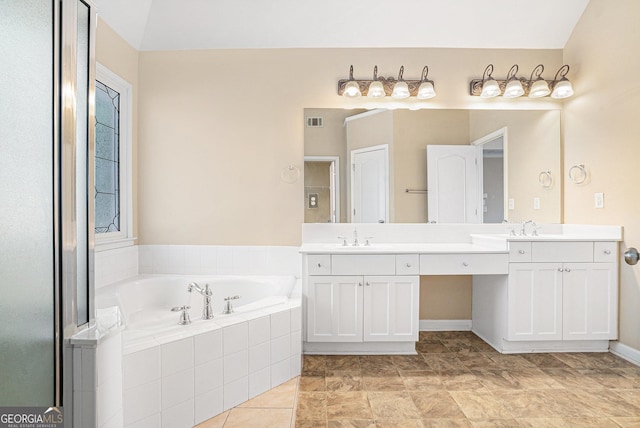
(334, 309)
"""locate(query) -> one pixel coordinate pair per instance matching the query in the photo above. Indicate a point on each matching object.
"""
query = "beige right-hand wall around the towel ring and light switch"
(602, 129)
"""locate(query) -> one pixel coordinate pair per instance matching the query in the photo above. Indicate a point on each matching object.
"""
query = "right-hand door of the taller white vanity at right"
(590, 301)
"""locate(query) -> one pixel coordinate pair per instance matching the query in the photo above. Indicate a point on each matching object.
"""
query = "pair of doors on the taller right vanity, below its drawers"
(562, 301)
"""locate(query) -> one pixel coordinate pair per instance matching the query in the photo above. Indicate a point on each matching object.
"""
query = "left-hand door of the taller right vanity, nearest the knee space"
(534, 295)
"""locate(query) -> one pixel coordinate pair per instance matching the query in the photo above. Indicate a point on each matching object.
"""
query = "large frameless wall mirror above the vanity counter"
(373, 166)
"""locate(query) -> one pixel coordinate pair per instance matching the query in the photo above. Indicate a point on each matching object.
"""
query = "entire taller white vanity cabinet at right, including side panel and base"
(558, 295)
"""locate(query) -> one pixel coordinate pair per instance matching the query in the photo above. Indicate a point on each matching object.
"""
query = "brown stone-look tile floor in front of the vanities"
(457, 380)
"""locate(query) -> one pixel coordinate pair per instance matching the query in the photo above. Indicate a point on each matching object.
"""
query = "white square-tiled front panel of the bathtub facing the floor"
(182, 381)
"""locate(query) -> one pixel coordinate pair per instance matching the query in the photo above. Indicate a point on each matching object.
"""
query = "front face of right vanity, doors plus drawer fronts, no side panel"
(569, 291)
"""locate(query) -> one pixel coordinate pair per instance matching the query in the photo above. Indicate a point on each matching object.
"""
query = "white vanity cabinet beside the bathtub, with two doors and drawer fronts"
(362, 300)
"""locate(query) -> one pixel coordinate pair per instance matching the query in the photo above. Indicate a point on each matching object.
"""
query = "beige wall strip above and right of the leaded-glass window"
(118, 56)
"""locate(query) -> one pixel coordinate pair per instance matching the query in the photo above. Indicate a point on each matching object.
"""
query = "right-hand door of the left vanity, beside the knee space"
(391, 308)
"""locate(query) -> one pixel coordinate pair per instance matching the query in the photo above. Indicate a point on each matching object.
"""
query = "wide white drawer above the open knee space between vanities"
(464, 264)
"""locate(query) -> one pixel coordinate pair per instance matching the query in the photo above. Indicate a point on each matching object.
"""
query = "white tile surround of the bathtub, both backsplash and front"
(196, 371)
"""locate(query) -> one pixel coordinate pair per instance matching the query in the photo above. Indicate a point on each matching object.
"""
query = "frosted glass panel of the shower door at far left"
(27, 198)
